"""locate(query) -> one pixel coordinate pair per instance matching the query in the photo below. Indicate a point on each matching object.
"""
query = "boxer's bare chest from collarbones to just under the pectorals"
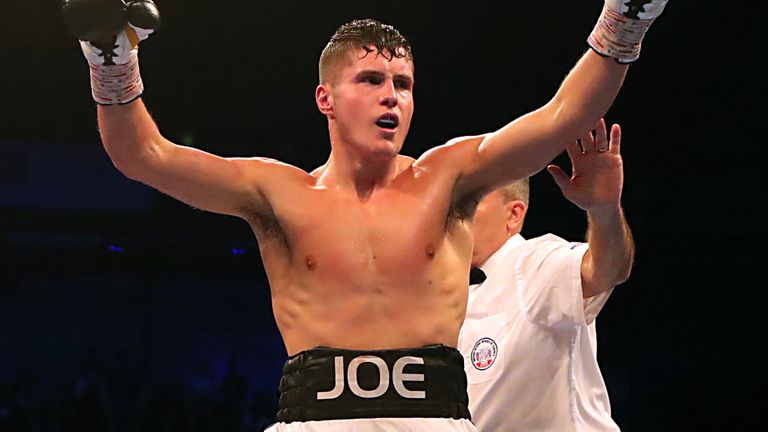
(340, 238)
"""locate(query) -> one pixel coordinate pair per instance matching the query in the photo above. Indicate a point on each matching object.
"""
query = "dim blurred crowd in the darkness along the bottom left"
(121, 401)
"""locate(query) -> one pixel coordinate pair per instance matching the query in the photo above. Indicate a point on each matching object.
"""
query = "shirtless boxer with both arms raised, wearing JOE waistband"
(367, 256)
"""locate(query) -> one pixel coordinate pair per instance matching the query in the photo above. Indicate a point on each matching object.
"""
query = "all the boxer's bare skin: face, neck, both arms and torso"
(372, 250)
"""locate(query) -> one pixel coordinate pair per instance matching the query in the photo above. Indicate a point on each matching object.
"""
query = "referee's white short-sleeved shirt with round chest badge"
(529, 342)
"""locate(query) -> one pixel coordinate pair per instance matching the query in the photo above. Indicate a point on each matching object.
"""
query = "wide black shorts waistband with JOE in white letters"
(331, 384)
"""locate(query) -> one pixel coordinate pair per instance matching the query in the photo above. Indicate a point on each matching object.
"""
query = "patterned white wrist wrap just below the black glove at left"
(116, 84)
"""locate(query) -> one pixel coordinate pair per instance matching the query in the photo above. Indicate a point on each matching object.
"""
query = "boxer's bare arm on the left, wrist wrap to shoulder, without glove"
(230, 186)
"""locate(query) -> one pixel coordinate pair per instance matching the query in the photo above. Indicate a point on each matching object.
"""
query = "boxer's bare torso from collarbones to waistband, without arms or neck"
(387, 271)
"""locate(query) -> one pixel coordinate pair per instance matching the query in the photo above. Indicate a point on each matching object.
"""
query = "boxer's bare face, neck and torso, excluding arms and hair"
(375, 259)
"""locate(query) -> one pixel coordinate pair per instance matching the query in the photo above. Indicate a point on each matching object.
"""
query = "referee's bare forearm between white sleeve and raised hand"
(611, 251)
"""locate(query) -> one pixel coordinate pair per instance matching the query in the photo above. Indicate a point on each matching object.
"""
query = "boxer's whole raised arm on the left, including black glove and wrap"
(109, 33)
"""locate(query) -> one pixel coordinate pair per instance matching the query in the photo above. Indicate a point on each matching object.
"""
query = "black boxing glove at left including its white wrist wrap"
(109, 33)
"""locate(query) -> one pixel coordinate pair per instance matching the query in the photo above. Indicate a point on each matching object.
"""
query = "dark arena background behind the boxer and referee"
(121, 309)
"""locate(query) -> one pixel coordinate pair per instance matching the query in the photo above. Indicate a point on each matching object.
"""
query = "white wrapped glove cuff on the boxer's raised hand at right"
(620, 30)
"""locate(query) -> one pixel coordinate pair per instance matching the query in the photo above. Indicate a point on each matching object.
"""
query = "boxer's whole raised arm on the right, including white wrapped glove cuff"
(525, 146)
